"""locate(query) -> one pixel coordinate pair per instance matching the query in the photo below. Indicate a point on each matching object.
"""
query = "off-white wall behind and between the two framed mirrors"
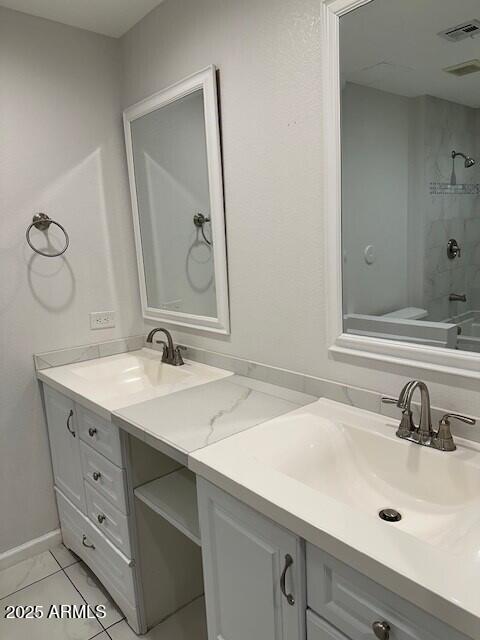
(268, 54)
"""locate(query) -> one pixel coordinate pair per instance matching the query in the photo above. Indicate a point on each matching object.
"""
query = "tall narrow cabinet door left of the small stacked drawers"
(65, 446)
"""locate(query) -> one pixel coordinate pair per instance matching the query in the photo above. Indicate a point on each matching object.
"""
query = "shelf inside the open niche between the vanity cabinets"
(174, 497)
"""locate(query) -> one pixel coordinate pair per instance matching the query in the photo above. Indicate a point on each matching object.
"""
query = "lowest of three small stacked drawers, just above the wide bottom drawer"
(111, 522)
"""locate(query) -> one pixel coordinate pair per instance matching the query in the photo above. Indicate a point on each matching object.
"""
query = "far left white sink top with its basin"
(117, 381)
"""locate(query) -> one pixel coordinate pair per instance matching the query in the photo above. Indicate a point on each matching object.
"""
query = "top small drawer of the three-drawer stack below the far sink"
(100, 434)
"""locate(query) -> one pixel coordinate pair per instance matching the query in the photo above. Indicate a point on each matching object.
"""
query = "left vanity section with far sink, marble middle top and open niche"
(127, 502)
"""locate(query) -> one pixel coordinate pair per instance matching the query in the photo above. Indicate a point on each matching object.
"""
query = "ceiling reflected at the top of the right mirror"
(393, 46)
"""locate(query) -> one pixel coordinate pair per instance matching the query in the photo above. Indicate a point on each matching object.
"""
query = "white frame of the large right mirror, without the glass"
(348, 346)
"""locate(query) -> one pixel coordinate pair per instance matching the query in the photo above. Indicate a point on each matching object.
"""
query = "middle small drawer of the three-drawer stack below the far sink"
(107, 478)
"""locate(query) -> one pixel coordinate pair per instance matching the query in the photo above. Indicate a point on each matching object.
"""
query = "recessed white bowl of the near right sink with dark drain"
(358, 460)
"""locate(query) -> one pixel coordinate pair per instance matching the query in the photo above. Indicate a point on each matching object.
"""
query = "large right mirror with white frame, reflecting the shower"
(402, 154)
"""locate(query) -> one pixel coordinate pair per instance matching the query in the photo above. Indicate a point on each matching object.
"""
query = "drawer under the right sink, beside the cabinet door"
(353, 603)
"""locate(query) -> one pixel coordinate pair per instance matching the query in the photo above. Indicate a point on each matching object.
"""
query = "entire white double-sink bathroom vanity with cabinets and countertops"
(284, 537)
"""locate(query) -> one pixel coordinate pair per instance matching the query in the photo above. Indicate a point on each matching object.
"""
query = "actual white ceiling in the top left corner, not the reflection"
(110, 17)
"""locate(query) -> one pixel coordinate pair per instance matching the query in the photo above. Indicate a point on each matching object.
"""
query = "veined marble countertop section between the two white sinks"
(186, 421)
